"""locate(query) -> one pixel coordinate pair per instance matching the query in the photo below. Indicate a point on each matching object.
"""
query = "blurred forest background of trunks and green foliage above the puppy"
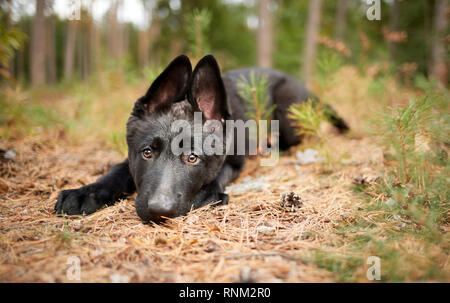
(39, 45)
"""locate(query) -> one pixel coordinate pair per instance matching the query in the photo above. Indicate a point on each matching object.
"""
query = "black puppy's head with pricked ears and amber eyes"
(167, 182)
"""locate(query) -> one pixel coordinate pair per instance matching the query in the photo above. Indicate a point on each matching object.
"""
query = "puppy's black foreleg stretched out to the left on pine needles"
(115, 185)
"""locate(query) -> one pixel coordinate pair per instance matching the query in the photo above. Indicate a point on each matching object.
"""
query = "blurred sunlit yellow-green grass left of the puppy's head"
(84, 111)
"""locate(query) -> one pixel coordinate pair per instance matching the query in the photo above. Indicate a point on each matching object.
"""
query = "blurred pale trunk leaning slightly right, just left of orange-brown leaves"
(312, 30)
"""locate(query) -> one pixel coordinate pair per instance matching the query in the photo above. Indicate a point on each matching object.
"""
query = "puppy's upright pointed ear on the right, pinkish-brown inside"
(206, 90)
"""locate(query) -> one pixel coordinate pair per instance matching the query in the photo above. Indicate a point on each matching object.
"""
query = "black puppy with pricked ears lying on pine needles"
(169, 184)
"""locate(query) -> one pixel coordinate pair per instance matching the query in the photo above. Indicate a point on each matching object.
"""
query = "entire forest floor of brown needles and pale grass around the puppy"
(253, 238)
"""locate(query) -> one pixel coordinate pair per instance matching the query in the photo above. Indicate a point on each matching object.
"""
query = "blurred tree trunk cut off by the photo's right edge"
(439, 67)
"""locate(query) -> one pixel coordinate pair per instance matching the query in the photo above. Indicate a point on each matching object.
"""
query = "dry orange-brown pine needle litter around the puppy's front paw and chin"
(254, 238)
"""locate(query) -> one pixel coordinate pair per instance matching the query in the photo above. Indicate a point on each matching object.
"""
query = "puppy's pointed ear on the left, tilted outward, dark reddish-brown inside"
(170, 86)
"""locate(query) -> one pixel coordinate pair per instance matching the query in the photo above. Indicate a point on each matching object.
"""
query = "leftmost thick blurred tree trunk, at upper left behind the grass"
(37, 53)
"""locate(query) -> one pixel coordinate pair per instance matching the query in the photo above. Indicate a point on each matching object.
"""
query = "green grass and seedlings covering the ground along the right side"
(409, 204)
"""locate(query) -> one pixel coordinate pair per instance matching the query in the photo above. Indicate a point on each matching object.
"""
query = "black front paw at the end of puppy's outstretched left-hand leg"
(83, 200)
